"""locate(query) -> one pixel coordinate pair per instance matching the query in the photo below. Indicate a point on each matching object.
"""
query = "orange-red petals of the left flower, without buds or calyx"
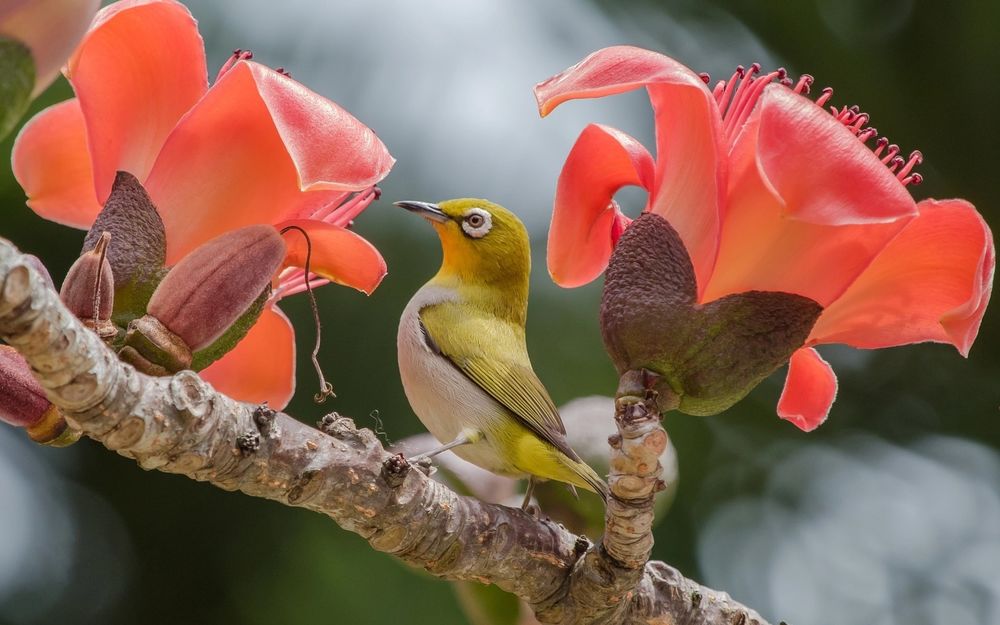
(255, 148)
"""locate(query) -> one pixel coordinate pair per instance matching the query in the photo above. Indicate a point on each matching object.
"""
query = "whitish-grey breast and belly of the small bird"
(444, 400)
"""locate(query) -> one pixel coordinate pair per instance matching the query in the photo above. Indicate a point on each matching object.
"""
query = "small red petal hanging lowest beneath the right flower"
(810, 389)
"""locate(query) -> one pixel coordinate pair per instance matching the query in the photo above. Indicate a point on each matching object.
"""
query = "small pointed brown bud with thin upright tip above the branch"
(88, 290)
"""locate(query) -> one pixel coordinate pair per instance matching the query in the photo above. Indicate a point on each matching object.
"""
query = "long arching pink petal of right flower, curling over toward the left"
(690, 172)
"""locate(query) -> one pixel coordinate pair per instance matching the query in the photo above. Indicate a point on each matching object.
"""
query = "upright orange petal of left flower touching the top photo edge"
(137, 71)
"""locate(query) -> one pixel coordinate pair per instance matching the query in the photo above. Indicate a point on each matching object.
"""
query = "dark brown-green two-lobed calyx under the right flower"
(705, 357)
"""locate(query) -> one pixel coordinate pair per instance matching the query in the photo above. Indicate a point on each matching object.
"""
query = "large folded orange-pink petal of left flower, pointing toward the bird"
(258, 148)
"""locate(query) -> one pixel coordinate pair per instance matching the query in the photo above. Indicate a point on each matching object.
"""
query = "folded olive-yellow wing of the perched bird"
(492, 354)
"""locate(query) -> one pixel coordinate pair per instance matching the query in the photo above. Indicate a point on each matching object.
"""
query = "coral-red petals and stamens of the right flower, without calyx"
(771, 191)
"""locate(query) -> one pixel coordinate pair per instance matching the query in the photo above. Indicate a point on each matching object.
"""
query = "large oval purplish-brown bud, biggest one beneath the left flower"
(203, 295)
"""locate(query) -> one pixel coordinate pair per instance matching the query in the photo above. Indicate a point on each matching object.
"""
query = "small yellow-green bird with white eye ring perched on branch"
(463, 358)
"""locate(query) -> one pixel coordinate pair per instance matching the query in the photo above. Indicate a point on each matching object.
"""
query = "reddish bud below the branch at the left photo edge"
(23, 402)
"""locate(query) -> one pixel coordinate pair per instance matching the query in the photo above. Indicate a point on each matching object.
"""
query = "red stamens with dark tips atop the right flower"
(736, 98)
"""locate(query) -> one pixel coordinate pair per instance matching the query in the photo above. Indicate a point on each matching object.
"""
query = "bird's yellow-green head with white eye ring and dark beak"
(485, 248)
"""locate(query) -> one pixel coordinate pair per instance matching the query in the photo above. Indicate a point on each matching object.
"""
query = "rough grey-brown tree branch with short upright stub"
(179, 424)
